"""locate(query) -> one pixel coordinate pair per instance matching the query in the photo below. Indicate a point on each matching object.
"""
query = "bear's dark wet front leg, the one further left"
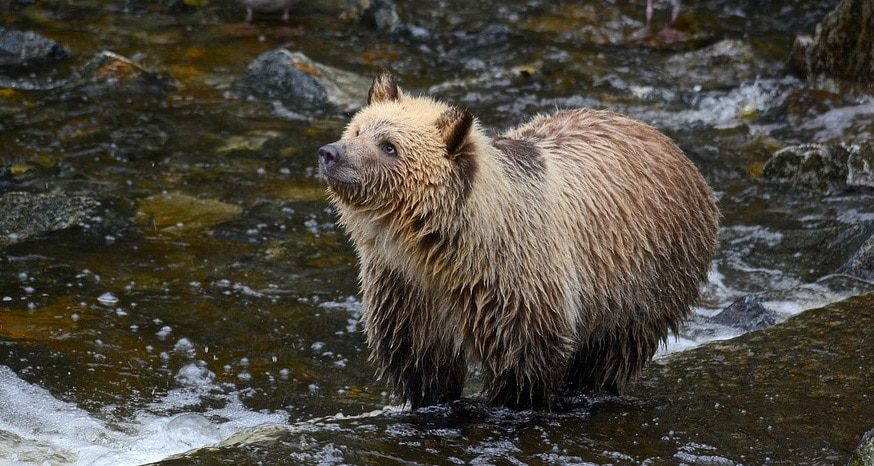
(413, 350)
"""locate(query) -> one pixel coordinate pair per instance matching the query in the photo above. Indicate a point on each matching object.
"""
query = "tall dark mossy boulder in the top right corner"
(841, 53)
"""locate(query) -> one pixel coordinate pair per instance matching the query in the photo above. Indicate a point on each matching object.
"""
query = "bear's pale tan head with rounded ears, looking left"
(400, 153)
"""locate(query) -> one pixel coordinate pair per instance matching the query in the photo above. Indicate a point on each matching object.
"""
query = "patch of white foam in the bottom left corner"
(37, 428)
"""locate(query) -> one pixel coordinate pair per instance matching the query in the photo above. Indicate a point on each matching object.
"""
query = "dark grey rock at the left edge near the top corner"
(19, 49)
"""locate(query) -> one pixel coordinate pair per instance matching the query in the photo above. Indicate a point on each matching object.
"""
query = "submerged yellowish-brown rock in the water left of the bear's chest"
(177, 213)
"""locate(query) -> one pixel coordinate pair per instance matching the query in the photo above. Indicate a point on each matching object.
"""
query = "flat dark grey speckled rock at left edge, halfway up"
(26, 215)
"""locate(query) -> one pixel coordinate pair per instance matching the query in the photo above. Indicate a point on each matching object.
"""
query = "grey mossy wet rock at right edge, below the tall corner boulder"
(826, 167)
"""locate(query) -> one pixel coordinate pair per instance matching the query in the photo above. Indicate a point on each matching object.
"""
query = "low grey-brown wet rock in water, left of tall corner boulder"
(724, 64)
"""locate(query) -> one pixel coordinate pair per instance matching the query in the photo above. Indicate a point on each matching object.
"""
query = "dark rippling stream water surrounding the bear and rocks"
(210, 292)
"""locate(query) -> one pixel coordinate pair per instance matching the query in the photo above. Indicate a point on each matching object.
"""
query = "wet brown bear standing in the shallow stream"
(557, 255)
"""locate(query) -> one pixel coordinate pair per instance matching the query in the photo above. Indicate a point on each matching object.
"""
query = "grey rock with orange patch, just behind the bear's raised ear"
(303, 85)
